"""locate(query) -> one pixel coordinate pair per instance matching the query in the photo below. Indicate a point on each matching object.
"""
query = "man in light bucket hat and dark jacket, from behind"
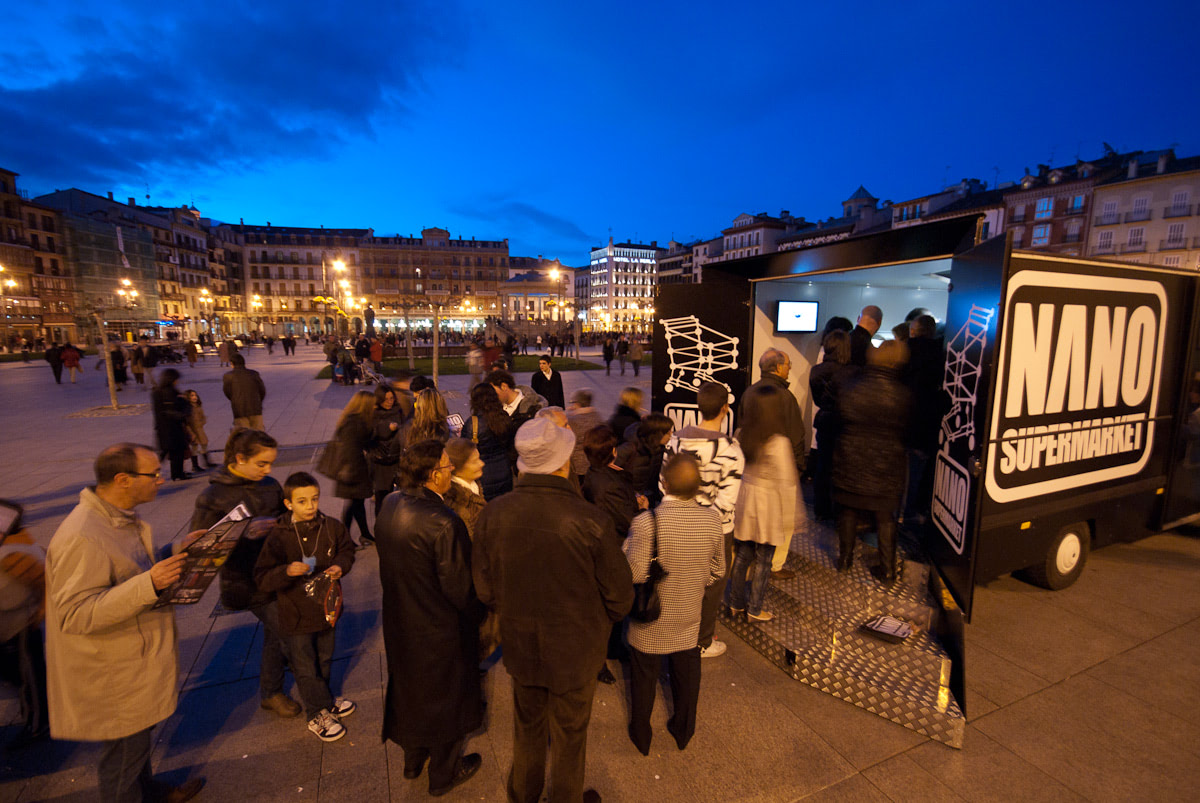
(557, 582)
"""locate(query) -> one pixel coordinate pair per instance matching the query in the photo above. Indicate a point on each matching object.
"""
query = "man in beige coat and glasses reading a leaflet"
(113, 660)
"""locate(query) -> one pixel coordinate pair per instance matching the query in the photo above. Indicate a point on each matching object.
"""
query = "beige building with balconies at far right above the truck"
(1149, 212)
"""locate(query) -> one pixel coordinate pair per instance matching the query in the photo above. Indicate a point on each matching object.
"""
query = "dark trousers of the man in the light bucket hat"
(541, 715)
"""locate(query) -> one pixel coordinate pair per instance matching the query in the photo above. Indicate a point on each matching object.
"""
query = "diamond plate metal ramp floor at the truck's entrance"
(815, 639)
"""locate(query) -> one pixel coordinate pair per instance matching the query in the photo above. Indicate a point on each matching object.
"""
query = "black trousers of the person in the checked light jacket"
(685, 673)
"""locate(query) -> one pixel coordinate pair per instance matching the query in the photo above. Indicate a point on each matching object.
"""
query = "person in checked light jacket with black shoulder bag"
(687, 541)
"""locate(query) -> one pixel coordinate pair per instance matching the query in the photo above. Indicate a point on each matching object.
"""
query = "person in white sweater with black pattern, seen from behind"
(722, 463)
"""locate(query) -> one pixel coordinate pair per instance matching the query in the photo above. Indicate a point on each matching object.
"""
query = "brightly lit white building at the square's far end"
(621, 295)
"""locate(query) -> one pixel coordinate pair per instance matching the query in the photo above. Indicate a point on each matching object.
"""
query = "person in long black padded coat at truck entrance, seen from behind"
(869, 464)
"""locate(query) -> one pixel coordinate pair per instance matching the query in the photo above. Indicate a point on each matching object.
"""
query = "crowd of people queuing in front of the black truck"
(466, 567)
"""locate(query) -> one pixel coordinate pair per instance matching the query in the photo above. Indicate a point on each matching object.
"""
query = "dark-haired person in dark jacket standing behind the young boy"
(245, 478)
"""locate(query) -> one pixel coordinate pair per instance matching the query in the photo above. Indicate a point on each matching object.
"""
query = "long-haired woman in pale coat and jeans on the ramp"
(766, 511)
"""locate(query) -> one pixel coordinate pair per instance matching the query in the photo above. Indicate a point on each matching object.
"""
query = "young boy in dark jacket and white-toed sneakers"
(304, 544)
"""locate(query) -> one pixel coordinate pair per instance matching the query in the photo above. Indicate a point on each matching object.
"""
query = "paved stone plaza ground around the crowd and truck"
(1093, 693)
